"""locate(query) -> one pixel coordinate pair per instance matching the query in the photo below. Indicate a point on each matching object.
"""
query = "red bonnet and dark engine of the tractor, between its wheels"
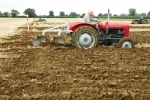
(111, 33)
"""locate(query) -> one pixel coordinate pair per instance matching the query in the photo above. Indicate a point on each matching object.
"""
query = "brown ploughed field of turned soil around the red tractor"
(57, 72)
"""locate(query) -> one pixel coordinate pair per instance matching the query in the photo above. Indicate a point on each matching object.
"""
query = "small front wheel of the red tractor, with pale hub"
(125, 43)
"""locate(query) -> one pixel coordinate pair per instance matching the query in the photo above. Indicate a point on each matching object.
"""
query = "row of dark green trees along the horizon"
(32, 13)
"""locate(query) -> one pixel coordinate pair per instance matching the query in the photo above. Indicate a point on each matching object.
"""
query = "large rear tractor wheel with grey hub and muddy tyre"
(85, 37)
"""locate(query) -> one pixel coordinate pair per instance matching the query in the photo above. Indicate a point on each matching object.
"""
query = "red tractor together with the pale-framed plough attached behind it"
(82, 35)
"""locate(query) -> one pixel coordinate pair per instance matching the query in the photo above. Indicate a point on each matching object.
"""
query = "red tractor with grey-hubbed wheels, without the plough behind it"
(87, 36)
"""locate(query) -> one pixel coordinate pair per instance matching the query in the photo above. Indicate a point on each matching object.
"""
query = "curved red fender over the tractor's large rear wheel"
(74, 26)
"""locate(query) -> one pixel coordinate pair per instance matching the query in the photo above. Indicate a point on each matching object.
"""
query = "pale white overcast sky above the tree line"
(42, 7)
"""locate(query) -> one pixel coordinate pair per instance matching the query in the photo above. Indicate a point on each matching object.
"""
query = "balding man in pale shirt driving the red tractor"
(88, 18)
